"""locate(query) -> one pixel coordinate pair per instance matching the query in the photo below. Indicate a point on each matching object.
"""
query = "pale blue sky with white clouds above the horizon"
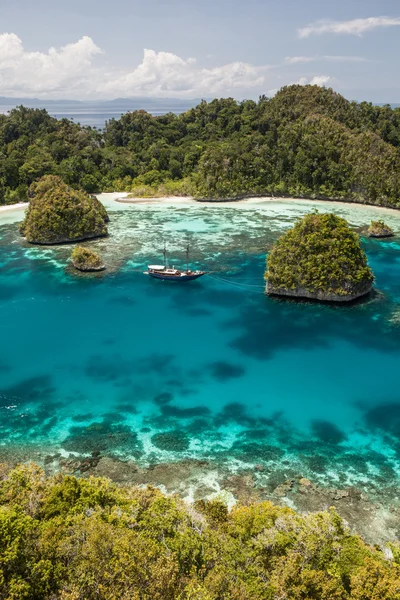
(104, 49)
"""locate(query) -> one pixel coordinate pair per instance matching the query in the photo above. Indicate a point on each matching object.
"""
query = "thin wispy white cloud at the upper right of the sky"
(353, 27)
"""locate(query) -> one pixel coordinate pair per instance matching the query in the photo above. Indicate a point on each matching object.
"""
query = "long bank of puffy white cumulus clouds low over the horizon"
(72, 71)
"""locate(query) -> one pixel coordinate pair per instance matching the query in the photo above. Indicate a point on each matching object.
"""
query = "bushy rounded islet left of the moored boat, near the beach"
(58, 214)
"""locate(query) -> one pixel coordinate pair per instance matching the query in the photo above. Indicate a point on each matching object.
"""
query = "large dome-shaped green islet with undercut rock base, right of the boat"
(321, 259)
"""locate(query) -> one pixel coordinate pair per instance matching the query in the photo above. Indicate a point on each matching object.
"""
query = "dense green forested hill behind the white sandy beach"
(306, 141)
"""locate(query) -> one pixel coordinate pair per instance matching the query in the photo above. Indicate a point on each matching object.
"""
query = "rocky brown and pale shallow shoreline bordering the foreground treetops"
(195, 478)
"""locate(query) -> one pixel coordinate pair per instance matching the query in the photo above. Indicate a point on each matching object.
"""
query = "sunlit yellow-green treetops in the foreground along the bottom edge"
(74, 539)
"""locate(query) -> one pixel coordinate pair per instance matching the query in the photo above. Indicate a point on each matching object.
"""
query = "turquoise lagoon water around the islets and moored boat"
(131, 367)
